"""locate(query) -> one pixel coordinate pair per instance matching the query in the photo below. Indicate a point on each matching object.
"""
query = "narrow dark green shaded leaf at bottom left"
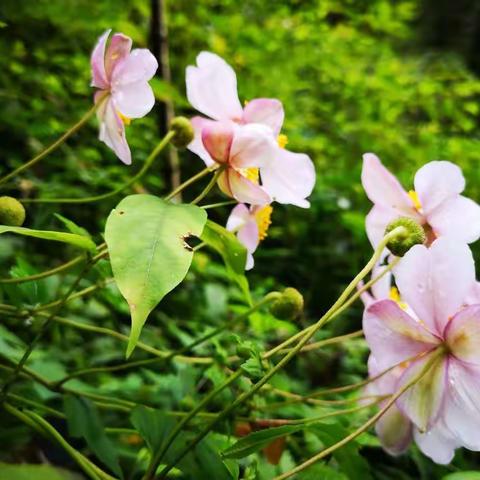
(84, 422)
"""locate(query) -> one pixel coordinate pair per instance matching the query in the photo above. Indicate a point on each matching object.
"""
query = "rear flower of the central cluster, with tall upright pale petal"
(212, 89)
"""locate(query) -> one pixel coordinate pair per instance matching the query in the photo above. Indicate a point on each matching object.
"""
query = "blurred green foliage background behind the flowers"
(398, 78)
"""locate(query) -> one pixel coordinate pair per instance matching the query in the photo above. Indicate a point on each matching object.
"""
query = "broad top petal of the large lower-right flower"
(434, 282)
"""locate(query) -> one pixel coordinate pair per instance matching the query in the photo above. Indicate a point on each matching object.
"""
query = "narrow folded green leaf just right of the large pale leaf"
(233, 253)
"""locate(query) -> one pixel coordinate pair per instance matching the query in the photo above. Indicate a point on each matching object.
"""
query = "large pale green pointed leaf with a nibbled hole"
(146, 239)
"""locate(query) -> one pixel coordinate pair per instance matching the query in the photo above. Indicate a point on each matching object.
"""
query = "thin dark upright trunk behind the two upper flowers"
(159, 42)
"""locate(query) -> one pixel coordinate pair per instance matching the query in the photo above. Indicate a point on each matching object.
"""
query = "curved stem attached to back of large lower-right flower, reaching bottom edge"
(369, 423)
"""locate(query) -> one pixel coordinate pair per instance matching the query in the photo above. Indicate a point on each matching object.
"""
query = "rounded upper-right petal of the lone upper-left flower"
(138, 67)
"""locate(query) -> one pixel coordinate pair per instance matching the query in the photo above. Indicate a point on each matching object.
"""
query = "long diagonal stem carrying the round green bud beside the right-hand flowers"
(246, 395)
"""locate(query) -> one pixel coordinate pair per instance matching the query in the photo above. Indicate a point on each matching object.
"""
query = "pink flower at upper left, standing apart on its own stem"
(121, 75)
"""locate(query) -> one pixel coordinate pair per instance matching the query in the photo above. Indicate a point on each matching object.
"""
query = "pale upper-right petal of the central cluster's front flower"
(252, 146)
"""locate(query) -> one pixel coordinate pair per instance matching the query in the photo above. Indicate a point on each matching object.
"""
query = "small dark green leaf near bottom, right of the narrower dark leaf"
(152, 425)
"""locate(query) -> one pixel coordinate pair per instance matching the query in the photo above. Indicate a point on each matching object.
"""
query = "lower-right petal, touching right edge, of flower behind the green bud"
(457, 217)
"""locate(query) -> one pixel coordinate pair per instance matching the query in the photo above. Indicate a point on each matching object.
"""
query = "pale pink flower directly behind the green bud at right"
(436, 202)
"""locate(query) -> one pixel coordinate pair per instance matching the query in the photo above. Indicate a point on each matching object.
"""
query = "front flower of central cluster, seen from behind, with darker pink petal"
(239, 152)
